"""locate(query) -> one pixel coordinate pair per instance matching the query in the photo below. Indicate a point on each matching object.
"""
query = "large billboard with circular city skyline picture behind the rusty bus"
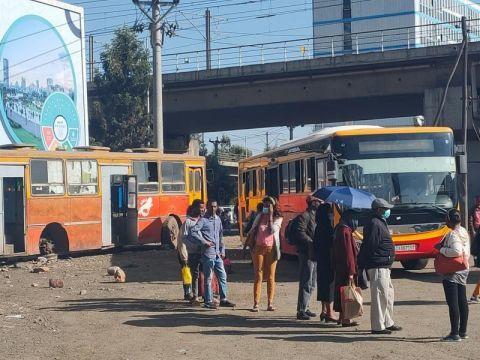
(42, 75)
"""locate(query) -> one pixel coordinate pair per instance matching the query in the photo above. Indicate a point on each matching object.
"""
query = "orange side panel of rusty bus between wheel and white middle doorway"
(85, 226)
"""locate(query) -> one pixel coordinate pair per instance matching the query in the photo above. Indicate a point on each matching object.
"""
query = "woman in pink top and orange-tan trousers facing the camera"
(266, 250)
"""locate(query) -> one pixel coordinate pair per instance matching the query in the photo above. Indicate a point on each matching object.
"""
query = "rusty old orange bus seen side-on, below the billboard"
(92, 198)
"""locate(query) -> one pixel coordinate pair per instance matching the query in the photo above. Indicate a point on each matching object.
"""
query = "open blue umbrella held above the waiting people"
(345, 196)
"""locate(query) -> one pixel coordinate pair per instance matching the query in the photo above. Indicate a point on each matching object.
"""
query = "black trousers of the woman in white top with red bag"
(456, 296)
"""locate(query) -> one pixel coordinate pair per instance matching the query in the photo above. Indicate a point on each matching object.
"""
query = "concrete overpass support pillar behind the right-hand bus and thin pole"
(452, 117)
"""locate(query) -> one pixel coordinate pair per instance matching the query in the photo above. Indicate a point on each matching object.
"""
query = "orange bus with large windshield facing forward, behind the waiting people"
(412, 167)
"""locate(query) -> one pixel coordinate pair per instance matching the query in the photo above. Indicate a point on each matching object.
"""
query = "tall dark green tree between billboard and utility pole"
(119, 118)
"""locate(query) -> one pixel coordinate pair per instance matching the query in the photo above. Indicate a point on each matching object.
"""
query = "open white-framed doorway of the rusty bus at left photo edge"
(12, 210)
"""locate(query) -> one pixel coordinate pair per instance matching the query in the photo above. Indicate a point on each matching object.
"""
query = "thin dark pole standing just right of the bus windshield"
(464, 163)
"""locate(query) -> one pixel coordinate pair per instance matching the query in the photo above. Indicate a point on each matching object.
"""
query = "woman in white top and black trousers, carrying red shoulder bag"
(456, 243)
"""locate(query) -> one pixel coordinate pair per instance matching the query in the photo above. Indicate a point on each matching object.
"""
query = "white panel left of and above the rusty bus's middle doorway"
(107, 172)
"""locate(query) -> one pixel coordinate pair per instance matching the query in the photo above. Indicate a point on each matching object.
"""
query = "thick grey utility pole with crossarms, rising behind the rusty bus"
(157, 35)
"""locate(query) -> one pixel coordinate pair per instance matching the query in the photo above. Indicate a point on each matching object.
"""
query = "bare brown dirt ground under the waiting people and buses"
(94, 318)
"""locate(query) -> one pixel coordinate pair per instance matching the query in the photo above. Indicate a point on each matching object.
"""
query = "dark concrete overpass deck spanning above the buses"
(329, 89)
